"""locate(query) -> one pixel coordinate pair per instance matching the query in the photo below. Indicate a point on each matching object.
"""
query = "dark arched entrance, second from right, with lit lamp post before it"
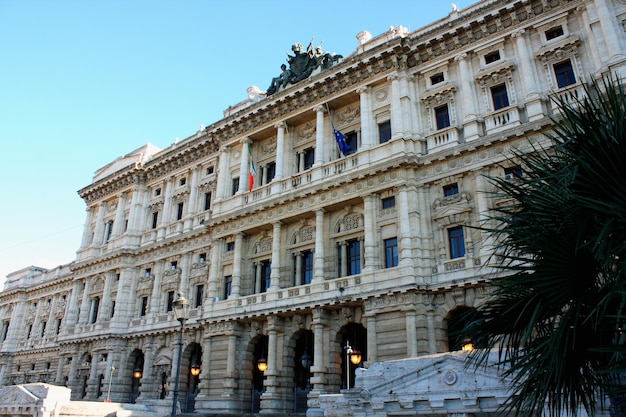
(353, 344)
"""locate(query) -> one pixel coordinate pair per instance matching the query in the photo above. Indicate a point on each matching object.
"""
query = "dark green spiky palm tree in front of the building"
(557, 314)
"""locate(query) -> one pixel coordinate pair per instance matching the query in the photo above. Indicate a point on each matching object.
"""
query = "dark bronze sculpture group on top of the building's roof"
(301, 65)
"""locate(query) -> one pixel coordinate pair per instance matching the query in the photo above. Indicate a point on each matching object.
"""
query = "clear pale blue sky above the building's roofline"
(83, 82)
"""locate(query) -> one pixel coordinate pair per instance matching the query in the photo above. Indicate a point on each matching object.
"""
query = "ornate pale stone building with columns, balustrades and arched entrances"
(287, 249)
